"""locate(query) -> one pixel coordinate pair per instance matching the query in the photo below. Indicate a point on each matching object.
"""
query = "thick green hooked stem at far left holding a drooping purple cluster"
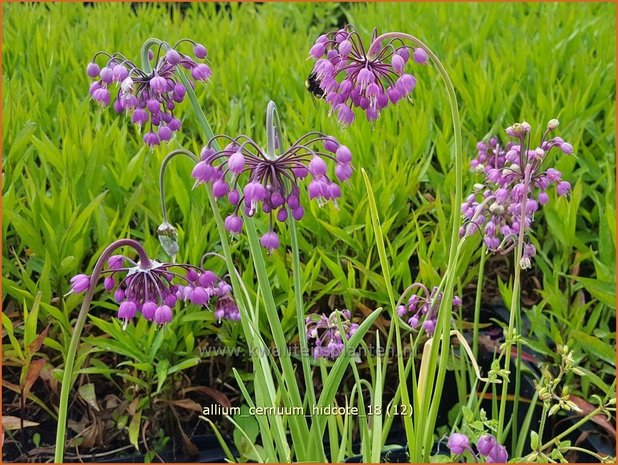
(69, 364)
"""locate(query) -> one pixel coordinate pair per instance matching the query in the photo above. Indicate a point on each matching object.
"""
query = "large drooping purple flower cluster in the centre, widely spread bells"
(249, 176)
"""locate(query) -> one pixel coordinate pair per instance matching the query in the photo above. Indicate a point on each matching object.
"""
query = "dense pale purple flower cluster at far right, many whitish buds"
(515, 186)
